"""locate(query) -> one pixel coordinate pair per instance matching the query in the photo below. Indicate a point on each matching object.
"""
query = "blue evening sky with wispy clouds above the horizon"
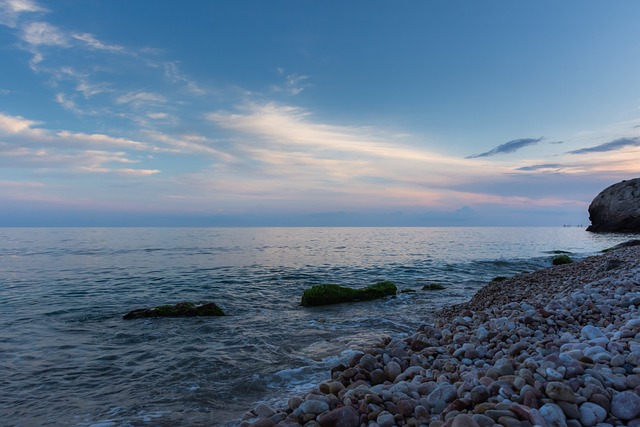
(302, 113)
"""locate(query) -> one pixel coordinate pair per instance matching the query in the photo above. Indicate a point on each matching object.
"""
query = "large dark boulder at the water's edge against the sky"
(617, 208)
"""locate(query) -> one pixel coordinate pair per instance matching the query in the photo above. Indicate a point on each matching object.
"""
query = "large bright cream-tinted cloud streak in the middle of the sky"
(283, 148)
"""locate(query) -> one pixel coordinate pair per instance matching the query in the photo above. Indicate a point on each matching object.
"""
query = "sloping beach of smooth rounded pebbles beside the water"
(557, 347)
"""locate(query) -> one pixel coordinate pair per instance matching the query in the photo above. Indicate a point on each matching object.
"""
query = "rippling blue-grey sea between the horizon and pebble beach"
(68, 359)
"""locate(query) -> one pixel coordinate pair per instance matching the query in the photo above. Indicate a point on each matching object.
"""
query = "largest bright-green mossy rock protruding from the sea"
(334, 294)
